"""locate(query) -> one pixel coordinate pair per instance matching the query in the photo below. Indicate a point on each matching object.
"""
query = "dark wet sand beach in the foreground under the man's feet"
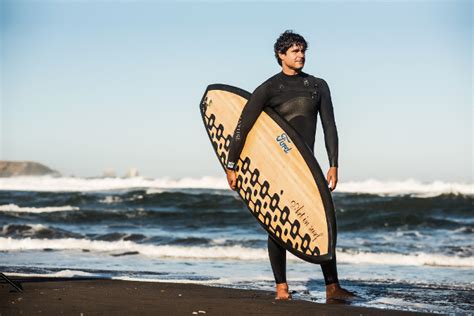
(74, 296)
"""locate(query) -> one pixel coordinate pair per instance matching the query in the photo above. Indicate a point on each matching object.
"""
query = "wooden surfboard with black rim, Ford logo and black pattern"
(278, 177)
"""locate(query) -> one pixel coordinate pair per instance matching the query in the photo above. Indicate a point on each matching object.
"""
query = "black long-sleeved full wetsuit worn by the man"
(298, 99)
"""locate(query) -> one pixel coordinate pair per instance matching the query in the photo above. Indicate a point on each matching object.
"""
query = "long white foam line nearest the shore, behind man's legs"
(225, 252)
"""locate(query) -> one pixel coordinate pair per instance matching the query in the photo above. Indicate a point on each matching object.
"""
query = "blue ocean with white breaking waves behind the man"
(404, 245)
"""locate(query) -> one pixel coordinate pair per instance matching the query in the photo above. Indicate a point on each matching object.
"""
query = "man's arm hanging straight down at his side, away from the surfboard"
(331, 140)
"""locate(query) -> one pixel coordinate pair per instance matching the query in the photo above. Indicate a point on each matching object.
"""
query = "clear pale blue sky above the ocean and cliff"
(93, 85)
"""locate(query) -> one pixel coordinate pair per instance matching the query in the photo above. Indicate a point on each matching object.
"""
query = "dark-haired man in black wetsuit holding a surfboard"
(297, 97)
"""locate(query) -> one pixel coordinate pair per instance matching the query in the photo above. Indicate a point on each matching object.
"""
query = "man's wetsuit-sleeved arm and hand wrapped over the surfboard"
(249, 115)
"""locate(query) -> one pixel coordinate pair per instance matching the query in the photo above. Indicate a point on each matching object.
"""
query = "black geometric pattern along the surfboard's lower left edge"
(256, 192)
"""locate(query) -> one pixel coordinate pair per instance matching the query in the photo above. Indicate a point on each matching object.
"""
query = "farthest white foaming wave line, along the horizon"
(370, 186)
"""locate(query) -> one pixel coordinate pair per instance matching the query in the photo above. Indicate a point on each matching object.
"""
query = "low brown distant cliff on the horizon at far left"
(24, 168)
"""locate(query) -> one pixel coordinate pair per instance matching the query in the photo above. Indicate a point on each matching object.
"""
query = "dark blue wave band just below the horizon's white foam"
(173, 210)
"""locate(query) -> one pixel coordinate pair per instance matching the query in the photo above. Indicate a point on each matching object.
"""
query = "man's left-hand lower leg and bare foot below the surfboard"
(277, 256)
